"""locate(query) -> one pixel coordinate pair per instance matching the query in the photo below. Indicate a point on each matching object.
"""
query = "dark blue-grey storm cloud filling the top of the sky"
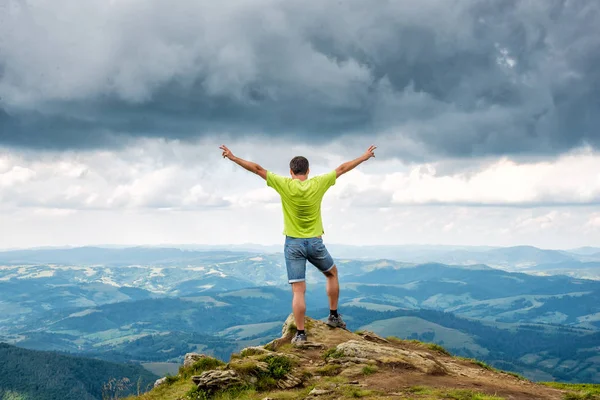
(456, 78)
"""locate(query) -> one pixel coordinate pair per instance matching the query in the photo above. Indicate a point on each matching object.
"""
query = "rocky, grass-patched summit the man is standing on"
(336, 364)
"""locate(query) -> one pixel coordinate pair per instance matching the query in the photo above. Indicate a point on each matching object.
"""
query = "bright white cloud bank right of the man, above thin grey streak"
(571, 179)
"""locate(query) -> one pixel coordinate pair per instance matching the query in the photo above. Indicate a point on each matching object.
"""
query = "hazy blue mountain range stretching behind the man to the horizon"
(152, 305)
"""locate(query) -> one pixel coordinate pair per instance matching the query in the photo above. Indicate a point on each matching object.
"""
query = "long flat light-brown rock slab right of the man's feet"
(382, 354)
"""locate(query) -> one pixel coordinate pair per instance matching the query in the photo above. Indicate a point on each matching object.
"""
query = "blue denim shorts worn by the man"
(297, 251)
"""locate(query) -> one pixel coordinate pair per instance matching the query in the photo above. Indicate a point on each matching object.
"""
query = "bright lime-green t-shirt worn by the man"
(301, 203)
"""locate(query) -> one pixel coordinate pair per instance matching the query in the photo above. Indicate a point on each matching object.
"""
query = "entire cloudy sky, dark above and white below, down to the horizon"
(486, 116)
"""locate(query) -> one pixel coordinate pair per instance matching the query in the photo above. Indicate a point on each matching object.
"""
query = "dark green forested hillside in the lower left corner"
(40, 375)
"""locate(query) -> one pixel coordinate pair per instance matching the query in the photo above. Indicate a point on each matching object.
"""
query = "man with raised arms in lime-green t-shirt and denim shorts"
(301, 202)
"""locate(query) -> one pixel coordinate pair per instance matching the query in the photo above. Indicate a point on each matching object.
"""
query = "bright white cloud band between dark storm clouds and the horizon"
(160, 192)
